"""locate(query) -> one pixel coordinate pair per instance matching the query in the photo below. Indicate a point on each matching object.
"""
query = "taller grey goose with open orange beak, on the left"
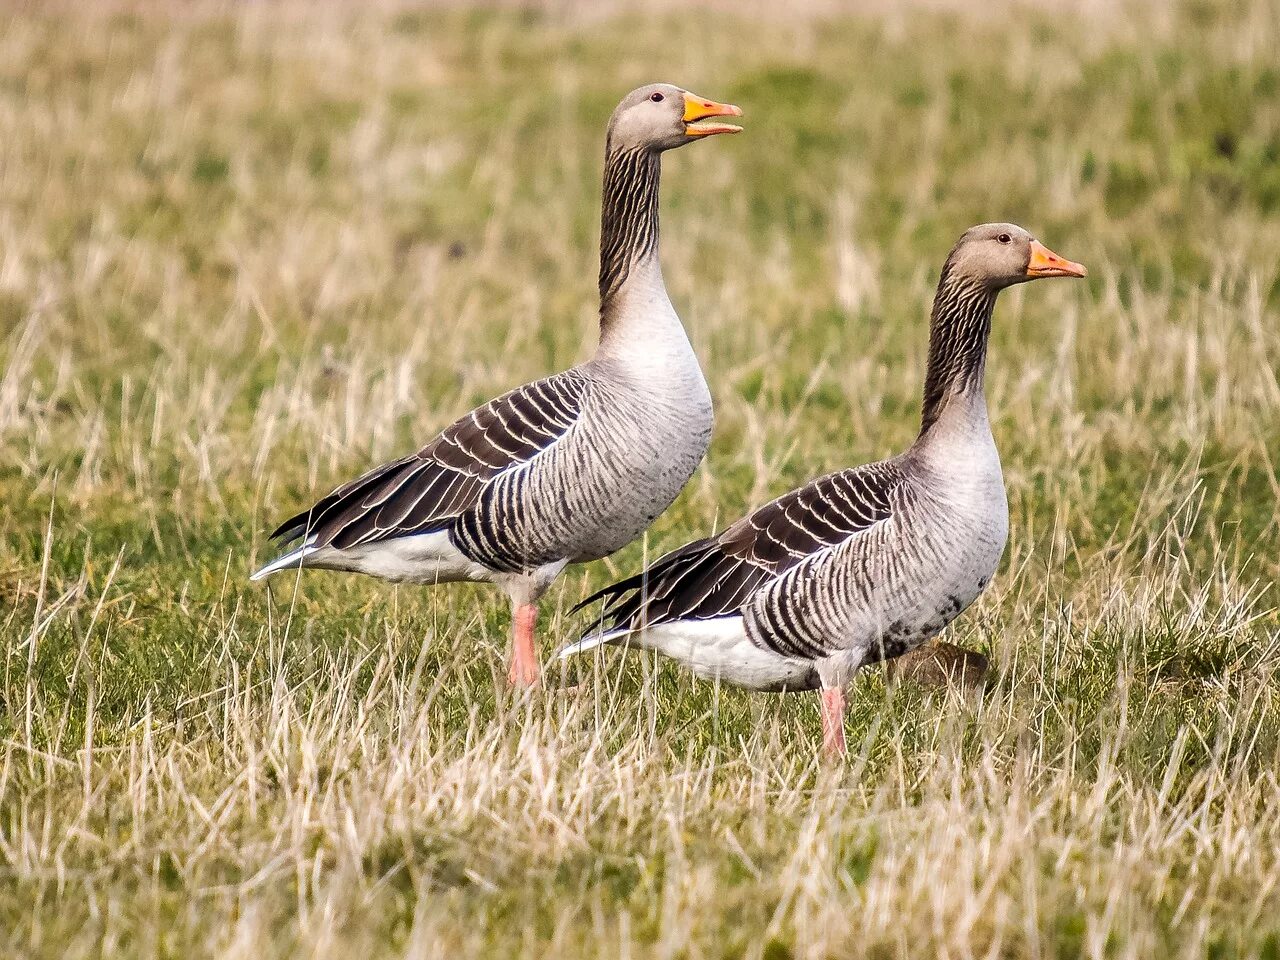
(563, 470)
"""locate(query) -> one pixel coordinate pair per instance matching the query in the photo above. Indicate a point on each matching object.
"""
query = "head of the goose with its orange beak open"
(661, 117)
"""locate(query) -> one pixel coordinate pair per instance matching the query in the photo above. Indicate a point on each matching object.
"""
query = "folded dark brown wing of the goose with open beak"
(428, 490)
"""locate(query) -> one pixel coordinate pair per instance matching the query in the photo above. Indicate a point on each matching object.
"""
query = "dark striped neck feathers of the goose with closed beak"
(959, 330)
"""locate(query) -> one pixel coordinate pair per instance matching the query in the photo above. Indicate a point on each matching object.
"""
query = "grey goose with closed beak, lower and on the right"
(861, 565)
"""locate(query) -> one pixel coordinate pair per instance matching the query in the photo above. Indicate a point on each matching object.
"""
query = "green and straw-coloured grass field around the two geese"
(248, 252)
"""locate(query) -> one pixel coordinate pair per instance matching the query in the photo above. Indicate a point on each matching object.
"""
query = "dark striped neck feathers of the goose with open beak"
(629, 220)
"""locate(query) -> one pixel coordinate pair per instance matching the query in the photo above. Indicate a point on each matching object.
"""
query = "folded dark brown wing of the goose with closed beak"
(715, 578)
